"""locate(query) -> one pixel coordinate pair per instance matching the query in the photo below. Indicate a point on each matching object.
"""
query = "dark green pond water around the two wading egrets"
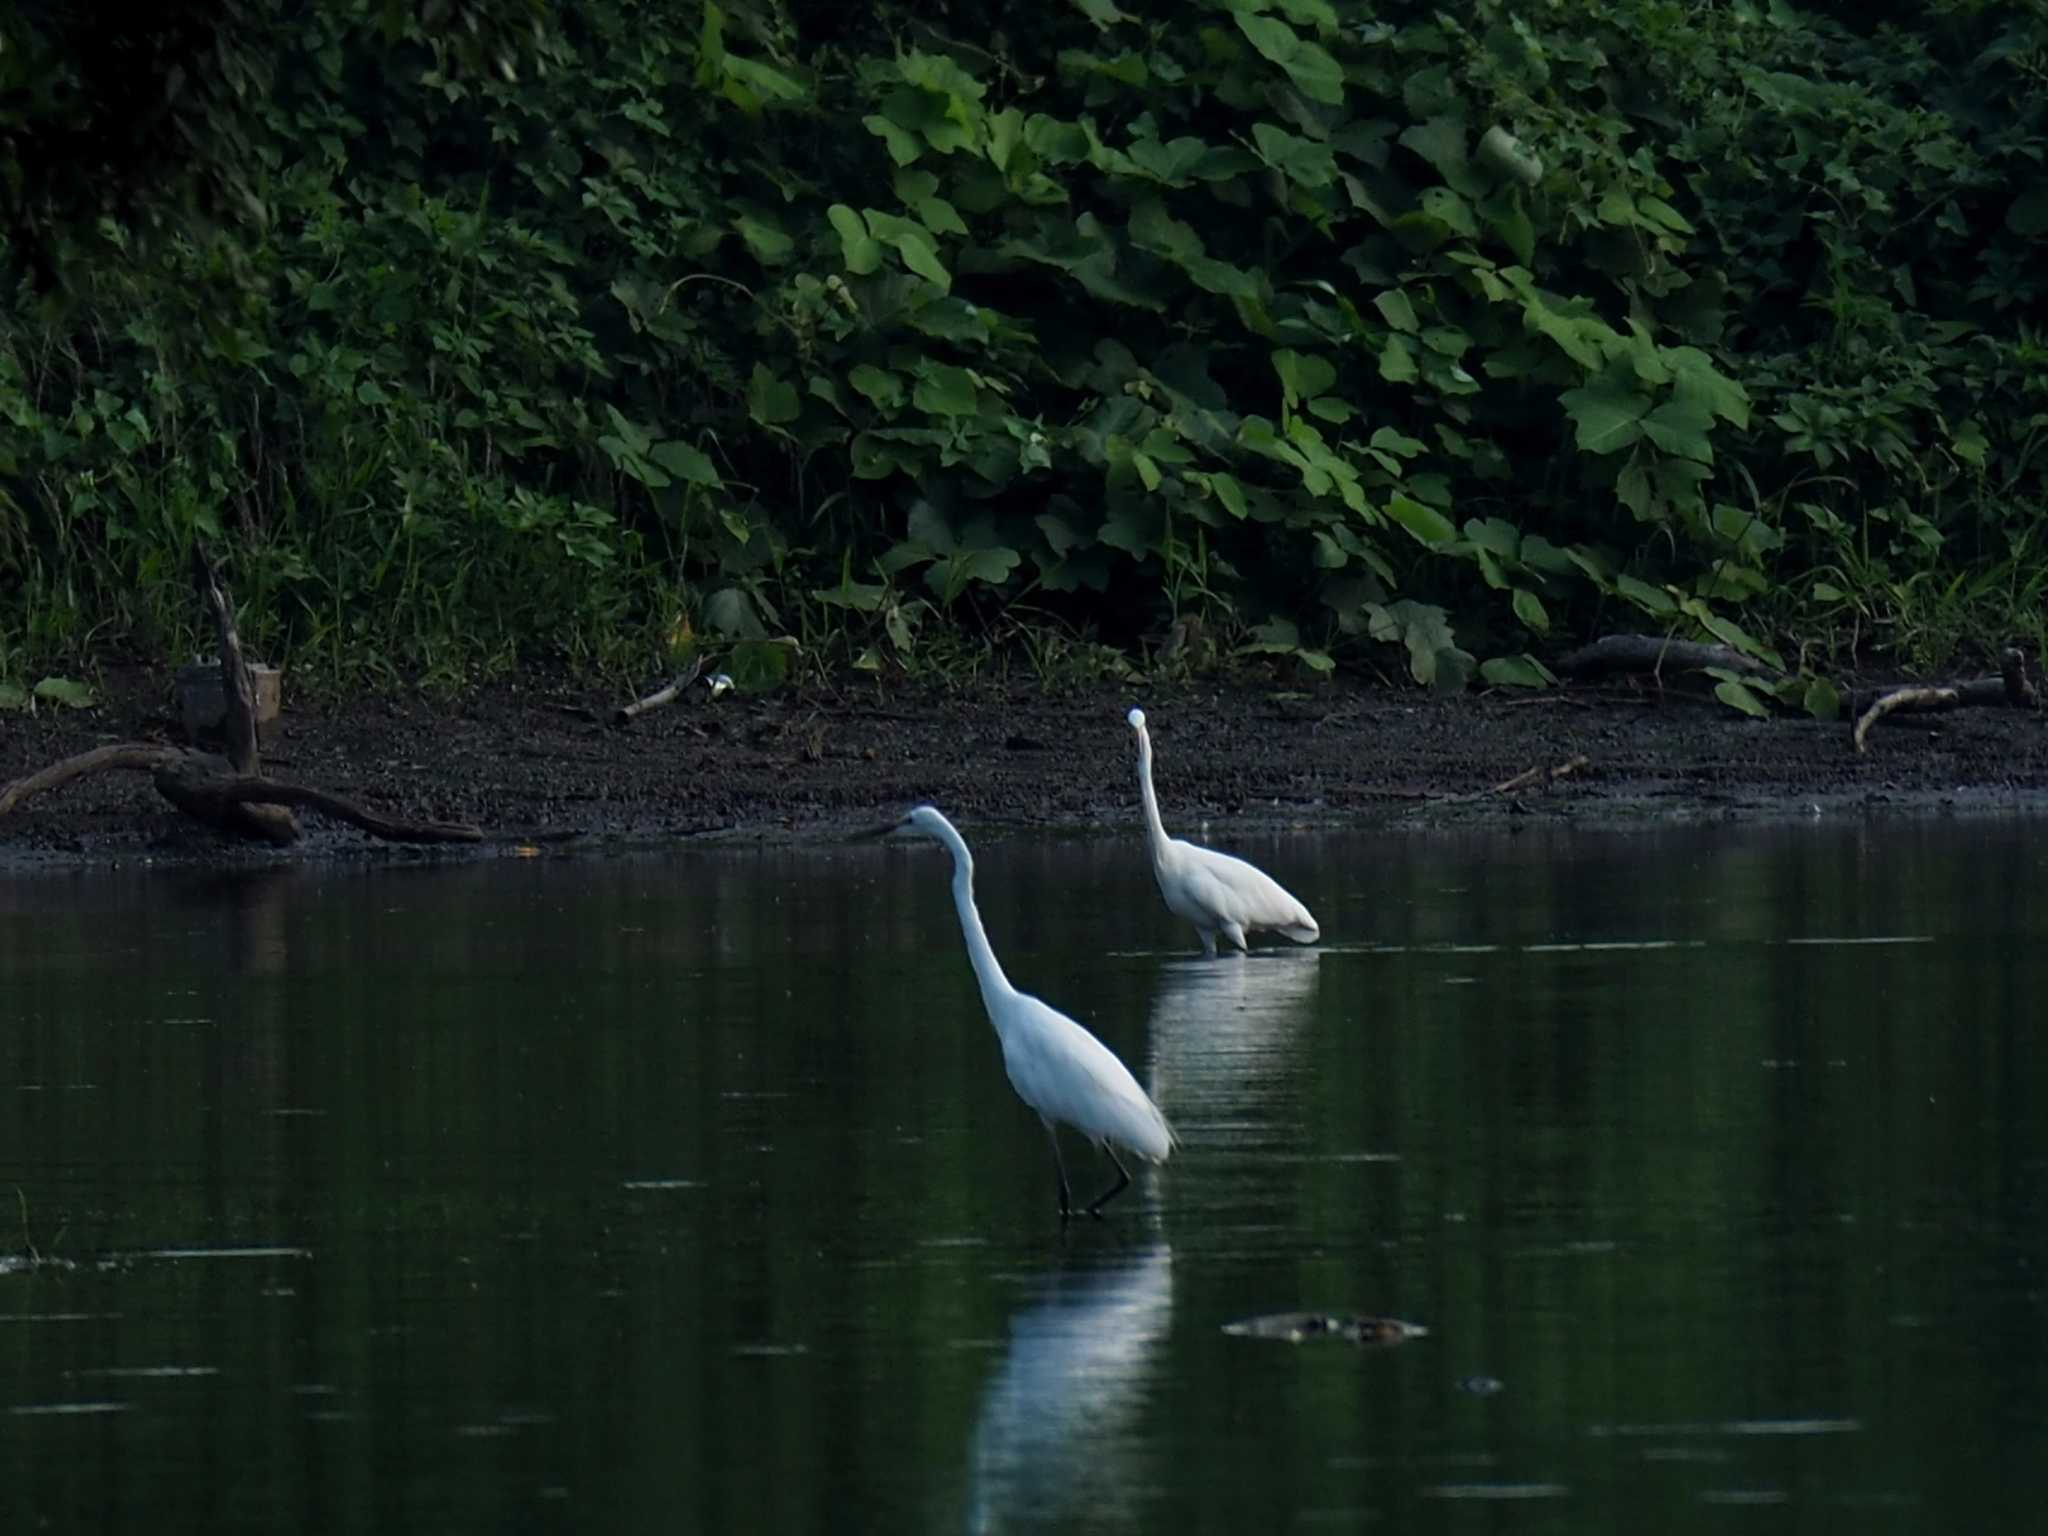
(691, 1195)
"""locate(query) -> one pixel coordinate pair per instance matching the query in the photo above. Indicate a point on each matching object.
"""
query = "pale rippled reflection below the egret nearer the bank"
(1224, 1039)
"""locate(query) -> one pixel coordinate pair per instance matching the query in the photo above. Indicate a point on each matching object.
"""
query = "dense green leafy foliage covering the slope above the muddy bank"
(830, 333)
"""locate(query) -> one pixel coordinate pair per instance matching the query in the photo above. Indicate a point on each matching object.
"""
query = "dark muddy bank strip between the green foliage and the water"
(534, 763)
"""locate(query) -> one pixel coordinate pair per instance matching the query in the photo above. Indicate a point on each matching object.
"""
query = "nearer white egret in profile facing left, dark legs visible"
(1064, 1072)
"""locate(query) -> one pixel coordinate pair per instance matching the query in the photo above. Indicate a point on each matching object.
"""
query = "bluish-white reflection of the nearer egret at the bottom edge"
(1054, 1433)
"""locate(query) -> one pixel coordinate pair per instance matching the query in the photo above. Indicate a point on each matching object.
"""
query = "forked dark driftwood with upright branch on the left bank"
(228, 794)
